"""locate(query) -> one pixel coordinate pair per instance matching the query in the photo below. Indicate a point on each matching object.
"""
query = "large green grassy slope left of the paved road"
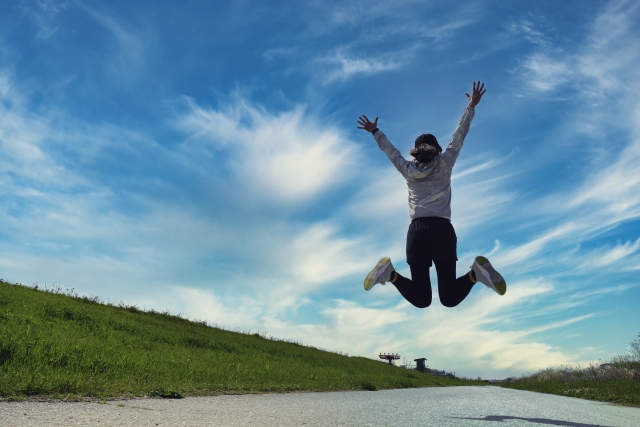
(62, 345)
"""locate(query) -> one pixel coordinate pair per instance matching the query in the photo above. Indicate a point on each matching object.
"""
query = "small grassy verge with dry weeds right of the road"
(618, 383)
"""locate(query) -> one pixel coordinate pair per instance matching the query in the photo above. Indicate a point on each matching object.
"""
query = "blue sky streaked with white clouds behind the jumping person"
(203, 157)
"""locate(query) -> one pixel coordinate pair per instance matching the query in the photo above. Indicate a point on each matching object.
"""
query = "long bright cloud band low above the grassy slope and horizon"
(472, 339)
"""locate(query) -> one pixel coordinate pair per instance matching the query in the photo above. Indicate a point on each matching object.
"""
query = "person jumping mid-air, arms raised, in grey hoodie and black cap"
(431, 237)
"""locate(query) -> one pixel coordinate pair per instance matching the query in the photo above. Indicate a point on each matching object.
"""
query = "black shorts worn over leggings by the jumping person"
(431, 239)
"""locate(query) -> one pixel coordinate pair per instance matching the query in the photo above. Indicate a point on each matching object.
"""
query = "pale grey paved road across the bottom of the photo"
(451, 406)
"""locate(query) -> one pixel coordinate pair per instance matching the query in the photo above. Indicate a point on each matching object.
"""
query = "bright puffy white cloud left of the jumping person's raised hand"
(288, 156)
